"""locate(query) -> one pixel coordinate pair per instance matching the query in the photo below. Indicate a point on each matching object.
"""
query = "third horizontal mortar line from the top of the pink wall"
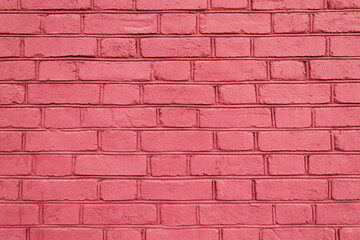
(194, 59)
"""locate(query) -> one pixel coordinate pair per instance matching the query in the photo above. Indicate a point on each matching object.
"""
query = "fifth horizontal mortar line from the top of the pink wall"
(200, 106)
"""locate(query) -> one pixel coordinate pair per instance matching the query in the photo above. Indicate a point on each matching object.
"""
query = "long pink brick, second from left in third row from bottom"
(59, 190)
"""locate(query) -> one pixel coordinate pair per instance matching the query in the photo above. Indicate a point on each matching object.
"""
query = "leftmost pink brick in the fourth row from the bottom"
(15, 165)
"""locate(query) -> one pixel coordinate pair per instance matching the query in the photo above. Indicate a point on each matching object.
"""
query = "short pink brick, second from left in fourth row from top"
(51, 70)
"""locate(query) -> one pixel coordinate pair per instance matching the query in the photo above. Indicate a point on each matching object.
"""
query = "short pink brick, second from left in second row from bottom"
(61, 214)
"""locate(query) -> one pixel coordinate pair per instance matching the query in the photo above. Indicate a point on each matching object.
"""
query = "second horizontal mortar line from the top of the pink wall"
(193, 35)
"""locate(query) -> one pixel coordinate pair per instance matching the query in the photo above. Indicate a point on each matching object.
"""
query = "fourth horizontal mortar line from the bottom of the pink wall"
(214, 152)
